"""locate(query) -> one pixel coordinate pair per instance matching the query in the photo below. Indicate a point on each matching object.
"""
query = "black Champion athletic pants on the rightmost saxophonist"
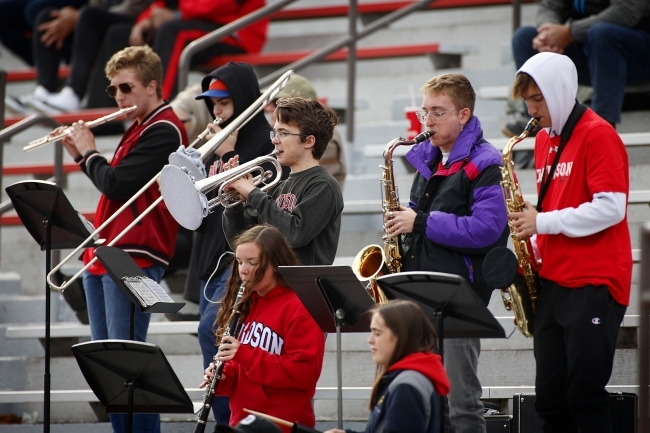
(575, 331)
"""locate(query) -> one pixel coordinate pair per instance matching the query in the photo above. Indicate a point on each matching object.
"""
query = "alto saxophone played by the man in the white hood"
(521, 296)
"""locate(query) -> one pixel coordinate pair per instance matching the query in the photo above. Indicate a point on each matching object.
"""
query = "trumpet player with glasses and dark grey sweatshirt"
(307, 206)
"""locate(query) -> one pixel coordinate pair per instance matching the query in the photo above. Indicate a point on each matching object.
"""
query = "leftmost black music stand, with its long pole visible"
(49, 217)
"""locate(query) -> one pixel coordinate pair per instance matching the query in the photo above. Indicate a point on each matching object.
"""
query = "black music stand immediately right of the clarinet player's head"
(337, 301)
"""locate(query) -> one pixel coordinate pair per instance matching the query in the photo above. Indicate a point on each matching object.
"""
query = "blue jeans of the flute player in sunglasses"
(109, 312)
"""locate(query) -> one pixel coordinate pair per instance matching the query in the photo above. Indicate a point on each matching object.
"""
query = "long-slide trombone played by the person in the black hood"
(208, 148)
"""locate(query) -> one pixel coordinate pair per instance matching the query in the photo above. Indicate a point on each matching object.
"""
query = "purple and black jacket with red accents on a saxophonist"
(461, 213)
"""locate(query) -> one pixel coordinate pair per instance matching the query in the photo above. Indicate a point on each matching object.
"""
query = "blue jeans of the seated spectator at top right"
(611, 58)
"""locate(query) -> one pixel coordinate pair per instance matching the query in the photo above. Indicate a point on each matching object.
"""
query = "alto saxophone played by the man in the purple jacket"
(375, 260)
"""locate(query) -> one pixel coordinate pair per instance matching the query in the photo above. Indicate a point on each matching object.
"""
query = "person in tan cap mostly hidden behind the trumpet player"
(333, 160)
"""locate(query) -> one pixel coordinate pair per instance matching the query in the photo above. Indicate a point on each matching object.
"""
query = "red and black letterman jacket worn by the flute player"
(141, 154)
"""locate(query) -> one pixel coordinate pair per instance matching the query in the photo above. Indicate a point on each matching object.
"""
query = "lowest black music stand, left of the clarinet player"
(131, 377)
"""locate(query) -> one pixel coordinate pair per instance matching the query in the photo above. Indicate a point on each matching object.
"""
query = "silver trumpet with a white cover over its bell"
(186, 199)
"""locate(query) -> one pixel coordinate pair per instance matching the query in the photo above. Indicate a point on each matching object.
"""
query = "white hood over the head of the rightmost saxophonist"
(557, 79)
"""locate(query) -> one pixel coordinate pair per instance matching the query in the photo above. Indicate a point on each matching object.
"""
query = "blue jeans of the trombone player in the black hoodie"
(214, 291)
